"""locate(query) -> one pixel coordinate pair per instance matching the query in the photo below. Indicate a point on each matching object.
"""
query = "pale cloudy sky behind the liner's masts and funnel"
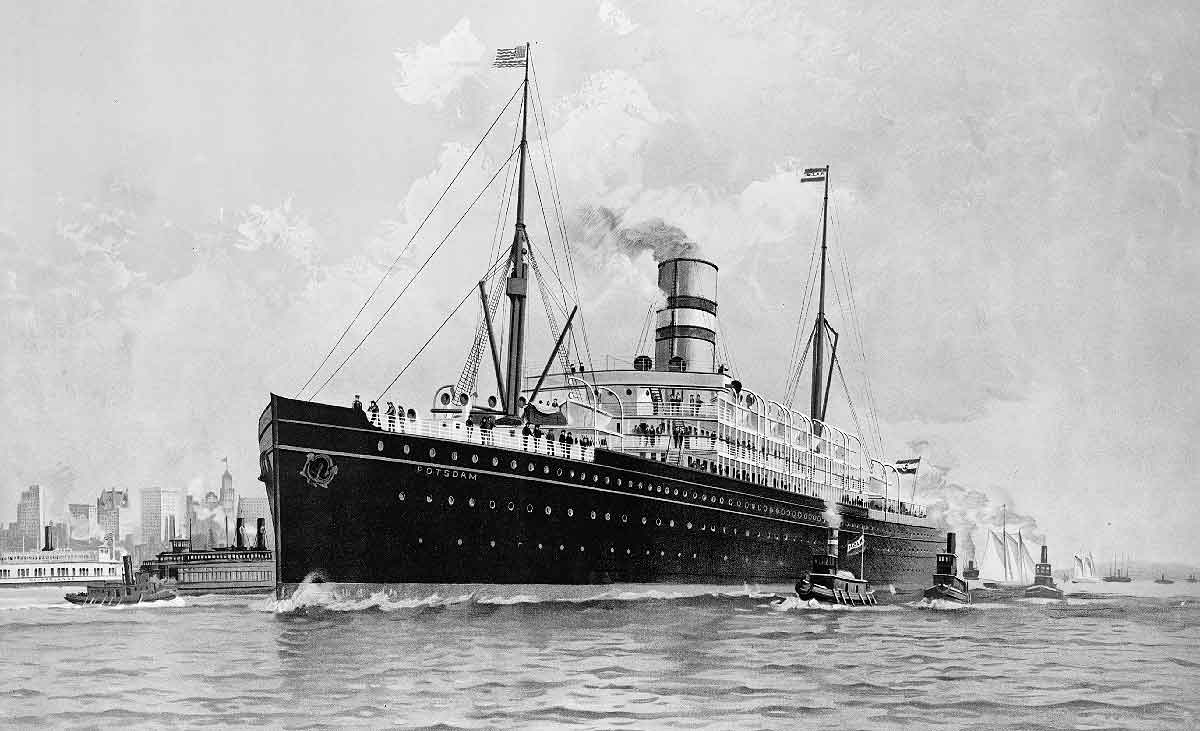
(196, 199)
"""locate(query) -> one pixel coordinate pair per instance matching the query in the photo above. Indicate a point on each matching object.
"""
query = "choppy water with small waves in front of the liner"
(616, 657)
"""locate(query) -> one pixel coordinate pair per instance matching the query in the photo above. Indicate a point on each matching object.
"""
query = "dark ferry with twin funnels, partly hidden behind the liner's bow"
(237, 570)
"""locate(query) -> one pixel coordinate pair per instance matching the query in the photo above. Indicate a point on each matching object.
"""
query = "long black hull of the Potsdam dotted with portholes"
(405, 508)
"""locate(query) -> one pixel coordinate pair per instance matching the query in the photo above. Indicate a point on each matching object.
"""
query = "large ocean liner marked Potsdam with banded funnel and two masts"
(669, 471)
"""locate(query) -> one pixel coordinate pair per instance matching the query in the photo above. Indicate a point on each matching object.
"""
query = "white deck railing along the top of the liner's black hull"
(827, 484)
